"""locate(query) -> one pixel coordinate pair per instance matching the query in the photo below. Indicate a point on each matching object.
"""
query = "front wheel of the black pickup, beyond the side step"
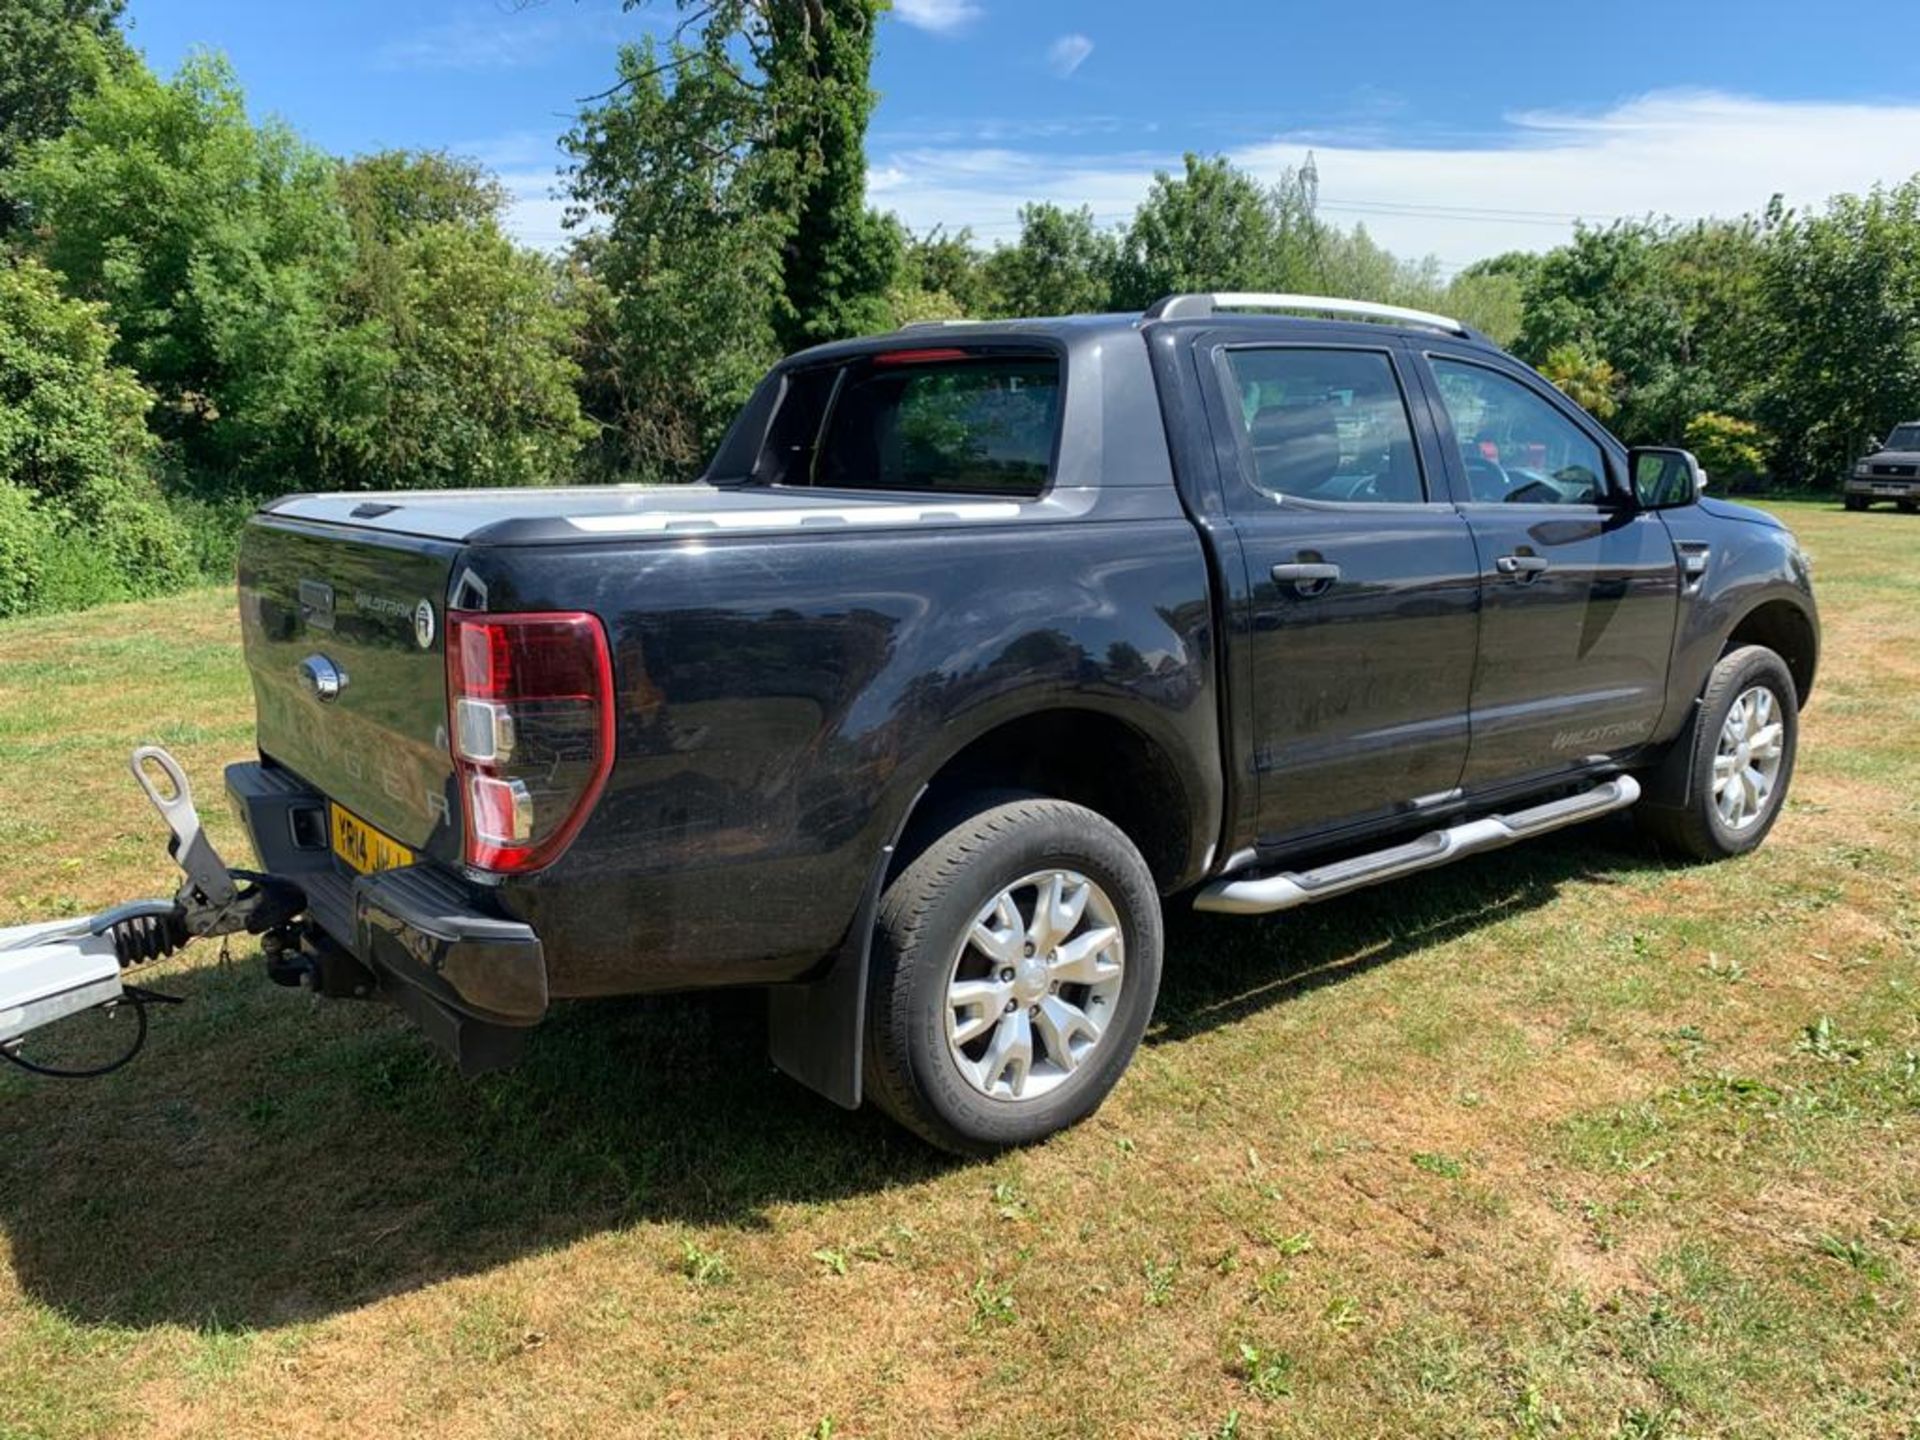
(1742, 748)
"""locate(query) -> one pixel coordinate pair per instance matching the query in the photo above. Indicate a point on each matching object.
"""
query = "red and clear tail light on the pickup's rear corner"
(531, 706)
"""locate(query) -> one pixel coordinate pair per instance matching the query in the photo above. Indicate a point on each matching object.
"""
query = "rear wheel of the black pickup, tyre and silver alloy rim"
(1015, 969)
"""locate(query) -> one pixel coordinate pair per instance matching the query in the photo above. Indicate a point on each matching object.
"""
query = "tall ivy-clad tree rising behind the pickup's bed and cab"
(725, 174)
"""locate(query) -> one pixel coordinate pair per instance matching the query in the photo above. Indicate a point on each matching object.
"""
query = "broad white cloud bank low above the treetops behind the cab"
(1685, 155)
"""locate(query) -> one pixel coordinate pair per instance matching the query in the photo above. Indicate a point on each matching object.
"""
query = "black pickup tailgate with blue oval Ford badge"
(329, 606)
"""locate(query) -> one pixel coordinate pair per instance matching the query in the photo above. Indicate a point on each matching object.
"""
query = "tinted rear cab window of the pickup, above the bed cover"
(921, 421)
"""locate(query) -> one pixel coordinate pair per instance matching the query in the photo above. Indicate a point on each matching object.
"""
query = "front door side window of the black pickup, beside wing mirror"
(1516, 446)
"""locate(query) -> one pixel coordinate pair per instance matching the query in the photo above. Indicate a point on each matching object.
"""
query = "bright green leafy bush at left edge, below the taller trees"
(76, 494)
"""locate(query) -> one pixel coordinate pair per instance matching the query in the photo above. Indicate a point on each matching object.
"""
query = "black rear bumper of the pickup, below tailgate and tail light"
(439, 948)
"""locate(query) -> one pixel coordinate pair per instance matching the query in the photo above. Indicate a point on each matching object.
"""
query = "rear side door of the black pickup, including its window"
(1360, 588)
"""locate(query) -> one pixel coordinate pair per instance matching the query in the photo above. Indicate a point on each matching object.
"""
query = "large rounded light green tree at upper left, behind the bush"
(218, 251)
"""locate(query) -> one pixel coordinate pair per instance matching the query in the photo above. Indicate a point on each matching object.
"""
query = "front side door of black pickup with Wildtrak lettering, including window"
(1579, 587)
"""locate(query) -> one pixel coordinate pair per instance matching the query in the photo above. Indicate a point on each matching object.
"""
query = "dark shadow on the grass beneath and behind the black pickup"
(274, 1159)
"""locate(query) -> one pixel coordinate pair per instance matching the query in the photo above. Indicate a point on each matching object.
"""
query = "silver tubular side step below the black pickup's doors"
(1287, 890)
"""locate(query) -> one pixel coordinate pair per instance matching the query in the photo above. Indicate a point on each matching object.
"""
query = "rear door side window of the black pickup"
(1326, 425)
